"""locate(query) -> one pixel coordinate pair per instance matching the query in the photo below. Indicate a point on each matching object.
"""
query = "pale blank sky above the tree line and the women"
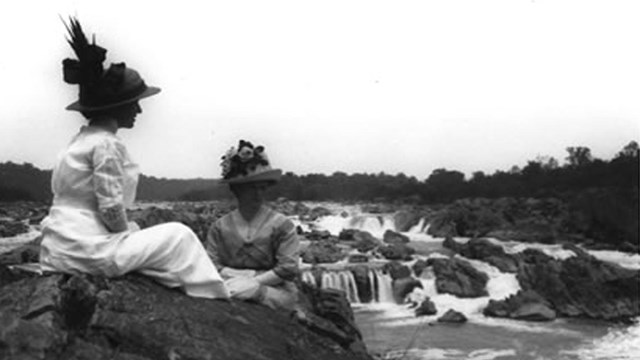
(353, 86)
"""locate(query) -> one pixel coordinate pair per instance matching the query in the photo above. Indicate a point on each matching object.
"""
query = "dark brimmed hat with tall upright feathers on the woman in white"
(100, 89)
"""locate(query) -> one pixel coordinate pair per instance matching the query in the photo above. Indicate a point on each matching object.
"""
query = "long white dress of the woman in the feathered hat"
(93, 178)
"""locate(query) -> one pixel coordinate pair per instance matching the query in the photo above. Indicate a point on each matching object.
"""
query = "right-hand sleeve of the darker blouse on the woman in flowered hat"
(288, 251)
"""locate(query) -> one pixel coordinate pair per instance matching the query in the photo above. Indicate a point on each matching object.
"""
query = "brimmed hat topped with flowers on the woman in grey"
(247, 164)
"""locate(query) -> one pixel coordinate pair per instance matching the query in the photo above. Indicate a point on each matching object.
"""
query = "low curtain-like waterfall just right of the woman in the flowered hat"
(344, 280)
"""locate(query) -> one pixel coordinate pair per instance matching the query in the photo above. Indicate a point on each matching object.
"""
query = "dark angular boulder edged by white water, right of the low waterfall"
(458, 277)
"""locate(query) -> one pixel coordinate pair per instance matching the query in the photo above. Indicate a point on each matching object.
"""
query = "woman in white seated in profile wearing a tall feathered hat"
(94, 181)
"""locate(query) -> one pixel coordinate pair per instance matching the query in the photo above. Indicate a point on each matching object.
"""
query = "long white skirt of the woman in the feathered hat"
(170, 253)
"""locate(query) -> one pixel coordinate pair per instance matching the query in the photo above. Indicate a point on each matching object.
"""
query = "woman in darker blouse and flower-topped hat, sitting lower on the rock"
(255, 248)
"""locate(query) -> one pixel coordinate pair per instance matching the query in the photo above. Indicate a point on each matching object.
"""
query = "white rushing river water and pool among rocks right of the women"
(393, 331)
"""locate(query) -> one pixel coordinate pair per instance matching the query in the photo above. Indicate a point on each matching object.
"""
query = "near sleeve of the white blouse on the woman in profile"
(108, 183)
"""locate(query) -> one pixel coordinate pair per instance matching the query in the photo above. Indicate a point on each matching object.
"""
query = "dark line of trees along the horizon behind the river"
(540, 177)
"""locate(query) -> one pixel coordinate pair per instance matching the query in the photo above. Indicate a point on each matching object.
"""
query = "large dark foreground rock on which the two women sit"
(133, 318)
